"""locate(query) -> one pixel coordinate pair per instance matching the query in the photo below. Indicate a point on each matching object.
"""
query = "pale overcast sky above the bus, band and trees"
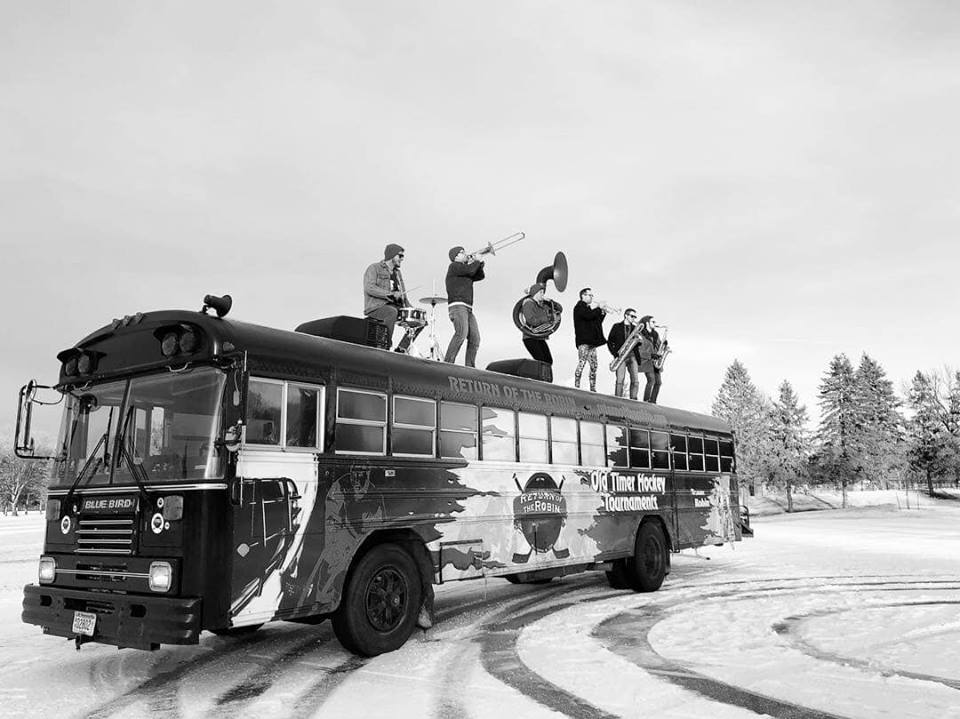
(777, 181)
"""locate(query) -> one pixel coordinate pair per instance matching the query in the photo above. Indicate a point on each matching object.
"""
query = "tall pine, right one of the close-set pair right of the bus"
(880, 439)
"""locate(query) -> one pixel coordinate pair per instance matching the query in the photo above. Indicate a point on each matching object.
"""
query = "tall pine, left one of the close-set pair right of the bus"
(840, 427)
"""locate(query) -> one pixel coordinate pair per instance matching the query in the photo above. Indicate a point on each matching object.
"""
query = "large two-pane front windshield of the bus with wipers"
(166, 424)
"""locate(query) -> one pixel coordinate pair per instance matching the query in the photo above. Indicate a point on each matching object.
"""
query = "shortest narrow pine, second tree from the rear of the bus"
(786, 459)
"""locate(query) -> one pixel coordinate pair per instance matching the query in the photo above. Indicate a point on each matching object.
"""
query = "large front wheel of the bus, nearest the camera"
(380, 603)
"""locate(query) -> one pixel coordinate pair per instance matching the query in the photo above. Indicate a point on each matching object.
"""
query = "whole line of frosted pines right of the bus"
(866, 436)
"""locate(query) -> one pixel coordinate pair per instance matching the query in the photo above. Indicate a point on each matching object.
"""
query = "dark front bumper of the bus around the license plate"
(123, 620)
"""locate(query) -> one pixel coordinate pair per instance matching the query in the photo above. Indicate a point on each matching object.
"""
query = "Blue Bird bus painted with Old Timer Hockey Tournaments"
(215, 475)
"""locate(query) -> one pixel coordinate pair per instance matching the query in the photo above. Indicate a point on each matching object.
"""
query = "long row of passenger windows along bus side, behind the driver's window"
(421, 427)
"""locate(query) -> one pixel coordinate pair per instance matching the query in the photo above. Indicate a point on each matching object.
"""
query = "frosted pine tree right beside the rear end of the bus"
(741, 404)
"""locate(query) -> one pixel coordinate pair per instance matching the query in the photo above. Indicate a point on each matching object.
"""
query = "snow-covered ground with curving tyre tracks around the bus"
(836, 613)
